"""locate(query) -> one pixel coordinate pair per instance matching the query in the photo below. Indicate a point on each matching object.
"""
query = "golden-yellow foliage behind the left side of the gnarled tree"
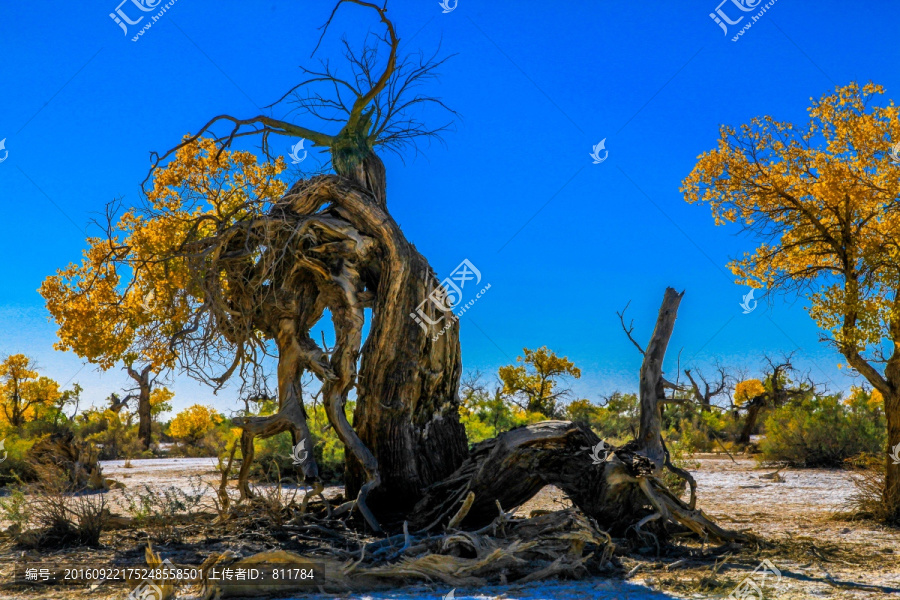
(133, 291)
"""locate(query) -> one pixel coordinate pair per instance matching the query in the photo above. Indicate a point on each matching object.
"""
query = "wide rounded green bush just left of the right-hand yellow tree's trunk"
(823, 431)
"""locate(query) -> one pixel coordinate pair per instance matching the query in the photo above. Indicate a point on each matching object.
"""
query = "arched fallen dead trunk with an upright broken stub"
(621, 489)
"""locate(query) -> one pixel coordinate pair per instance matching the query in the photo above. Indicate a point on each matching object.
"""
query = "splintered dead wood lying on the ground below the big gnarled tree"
(508, 550)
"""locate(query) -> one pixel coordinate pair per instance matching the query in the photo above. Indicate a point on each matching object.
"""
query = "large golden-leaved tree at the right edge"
(821, 199)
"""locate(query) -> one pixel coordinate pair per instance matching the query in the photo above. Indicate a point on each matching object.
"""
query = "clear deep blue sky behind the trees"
(563, 242)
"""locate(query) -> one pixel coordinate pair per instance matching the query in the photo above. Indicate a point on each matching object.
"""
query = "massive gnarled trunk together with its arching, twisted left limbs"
(406, 433)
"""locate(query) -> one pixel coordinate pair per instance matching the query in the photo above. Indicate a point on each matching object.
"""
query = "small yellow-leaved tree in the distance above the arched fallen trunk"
(535, 383)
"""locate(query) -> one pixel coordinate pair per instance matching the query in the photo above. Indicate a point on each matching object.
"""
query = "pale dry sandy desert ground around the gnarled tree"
(818, 553)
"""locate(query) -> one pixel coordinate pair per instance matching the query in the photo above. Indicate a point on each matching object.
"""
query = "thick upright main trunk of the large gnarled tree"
(407, 389)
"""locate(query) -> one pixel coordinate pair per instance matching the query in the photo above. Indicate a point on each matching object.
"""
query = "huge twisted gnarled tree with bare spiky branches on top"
(331, 244)
